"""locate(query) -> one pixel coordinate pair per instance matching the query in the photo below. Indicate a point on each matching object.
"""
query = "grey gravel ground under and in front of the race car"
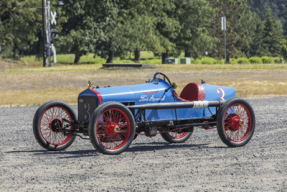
(202, 163)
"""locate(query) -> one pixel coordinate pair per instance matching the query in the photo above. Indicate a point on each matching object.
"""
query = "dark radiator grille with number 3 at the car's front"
(86, 107)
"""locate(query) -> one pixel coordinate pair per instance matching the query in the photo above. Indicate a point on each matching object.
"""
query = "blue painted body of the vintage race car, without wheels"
(153, 92)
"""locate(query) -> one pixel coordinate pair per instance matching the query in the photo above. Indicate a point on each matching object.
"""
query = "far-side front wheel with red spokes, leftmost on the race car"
(46, 119)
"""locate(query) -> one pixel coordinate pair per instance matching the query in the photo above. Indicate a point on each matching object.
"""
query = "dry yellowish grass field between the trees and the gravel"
(36, 85)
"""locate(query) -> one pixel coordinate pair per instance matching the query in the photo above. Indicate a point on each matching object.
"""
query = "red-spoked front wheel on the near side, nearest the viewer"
(112, 128)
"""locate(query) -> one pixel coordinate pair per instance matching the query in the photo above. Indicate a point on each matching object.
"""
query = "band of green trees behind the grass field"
(109, 28)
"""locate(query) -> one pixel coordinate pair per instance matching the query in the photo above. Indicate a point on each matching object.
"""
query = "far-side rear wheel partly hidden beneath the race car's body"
(175, 137)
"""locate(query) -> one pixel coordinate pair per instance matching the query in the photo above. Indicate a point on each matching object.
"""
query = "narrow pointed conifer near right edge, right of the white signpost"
(272, 35)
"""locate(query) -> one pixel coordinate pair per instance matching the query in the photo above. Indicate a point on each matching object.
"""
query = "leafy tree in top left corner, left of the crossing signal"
(20, 24)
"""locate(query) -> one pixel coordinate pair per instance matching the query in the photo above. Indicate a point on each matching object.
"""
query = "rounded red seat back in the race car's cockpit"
(193, 92)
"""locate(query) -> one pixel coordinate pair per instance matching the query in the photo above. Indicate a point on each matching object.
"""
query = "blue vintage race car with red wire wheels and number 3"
(112, 117)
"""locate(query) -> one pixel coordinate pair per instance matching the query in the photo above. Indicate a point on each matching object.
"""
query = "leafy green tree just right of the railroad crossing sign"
(82, 28)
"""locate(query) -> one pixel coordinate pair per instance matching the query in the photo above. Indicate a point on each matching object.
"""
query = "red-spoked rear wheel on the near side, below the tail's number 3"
(236, 122)
